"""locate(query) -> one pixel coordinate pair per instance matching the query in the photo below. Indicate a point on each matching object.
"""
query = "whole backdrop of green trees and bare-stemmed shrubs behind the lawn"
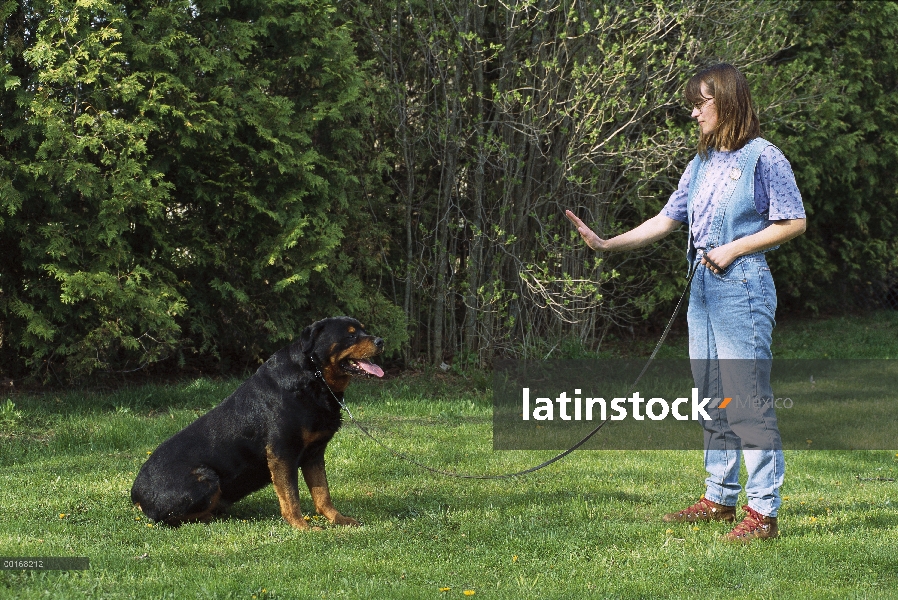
(188, 184)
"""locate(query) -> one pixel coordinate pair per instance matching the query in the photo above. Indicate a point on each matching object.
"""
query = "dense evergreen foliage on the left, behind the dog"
(175, 176)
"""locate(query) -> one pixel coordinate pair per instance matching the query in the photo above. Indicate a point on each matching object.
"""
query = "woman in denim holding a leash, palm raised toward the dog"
(739, 199)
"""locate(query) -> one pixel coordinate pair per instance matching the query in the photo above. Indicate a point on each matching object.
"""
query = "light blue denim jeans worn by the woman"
(731, 319)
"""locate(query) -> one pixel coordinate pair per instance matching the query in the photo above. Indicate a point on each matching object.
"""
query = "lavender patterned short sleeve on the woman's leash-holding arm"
(776, 193)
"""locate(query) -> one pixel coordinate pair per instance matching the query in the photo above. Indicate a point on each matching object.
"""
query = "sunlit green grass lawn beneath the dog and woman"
(585, 527)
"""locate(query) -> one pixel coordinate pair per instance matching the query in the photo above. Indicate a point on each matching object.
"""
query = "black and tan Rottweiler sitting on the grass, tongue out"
(278, 421)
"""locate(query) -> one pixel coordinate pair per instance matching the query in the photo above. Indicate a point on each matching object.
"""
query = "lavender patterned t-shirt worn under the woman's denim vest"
(776, 194)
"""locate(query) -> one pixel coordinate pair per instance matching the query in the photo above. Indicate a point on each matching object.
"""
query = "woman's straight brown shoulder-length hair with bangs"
(737, 121)
